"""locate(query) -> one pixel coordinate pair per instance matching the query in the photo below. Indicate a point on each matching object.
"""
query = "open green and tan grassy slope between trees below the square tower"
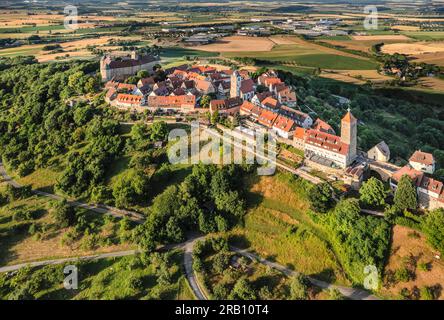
(278, 228)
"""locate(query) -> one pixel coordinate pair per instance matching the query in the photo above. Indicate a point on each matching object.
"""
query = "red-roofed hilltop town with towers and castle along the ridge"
(265, 103)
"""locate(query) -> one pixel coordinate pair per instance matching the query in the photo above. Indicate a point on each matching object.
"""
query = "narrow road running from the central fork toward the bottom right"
(351, 293)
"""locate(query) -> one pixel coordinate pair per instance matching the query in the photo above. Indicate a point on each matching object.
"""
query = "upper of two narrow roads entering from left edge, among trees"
(100, 208)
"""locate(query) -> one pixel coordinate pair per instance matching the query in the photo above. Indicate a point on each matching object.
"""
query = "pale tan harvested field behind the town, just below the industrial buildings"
(238, 44)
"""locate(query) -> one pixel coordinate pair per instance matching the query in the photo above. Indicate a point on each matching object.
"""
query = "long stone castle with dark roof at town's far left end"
(117, 68)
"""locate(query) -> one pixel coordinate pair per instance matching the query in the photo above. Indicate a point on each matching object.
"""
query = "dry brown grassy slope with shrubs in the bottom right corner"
(411, 245)
